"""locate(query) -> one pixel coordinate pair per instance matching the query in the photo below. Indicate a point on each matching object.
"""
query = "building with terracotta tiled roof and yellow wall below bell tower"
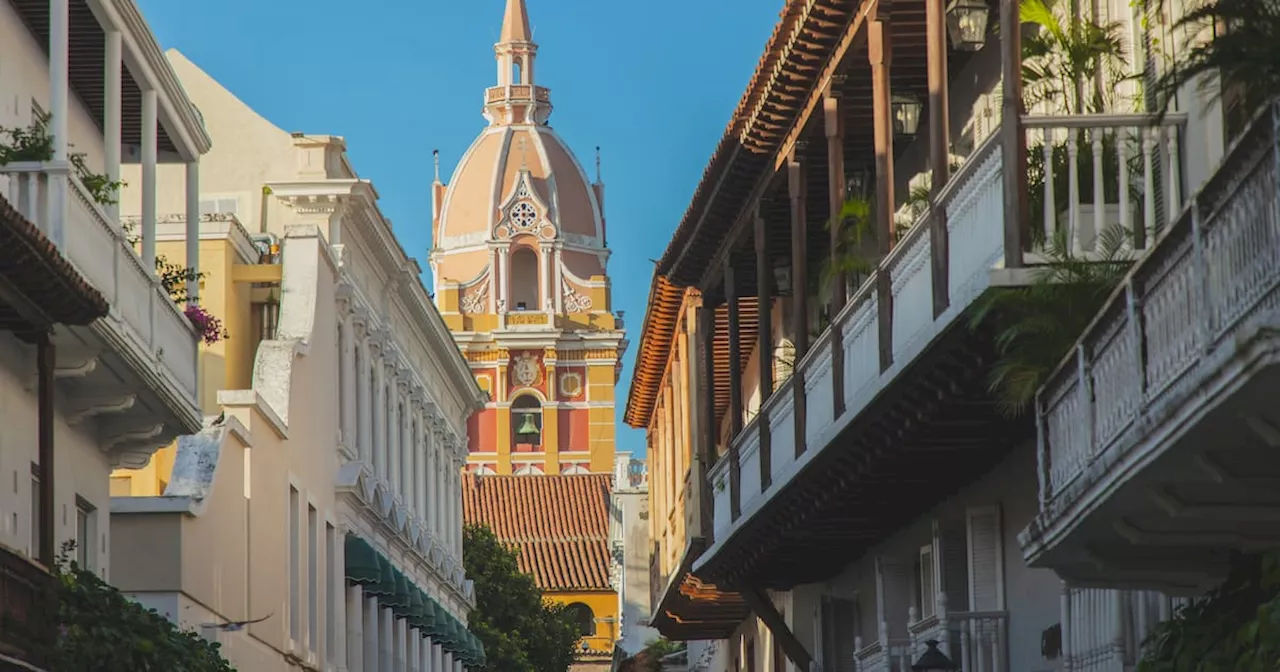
(561, 529)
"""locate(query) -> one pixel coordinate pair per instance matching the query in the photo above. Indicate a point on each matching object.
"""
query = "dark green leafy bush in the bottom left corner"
(95, 628)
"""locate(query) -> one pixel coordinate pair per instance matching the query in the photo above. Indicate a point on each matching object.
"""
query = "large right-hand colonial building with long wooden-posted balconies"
(835, 483)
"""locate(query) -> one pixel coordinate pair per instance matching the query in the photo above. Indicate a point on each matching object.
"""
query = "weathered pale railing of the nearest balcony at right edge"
(1209, 275)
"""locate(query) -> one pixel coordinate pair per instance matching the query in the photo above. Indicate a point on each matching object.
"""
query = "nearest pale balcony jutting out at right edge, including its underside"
(1158, 436)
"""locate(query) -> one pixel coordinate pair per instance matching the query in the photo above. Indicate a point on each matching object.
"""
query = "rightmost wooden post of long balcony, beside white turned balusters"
(1013, 141)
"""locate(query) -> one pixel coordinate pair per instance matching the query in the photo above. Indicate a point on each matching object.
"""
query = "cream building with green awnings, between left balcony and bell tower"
(322, 509)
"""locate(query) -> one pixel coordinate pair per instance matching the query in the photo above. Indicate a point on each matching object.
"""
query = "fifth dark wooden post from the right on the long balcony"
(799, 291)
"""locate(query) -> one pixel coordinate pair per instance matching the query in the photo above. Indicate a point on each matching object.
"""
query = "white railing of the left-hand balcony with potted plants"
(144, 326)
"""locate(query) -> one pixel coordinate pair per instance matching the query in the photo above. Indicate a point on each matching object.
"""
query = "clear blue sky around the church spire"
(655, 83)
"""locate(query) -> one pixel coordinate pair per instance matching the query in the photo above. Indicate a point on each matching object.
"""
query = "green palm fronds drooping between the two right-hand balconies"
(1037, 326)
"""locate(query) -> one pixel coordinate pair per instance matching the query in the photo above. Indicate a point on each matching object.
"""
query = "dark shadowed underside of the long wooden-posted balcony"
(935, 429)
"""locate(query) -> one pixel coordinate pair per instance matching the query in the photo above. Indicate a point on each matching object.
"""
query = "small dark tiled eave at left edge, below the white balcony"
(39, 287)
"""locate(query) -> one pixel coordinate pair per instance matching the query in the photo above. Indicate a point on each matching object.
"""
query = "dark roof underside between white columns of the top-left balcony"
(88, 58)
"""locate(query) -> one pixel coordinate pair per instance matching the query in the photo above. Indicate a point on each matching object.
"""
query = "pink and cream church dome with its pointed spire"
(519, 185)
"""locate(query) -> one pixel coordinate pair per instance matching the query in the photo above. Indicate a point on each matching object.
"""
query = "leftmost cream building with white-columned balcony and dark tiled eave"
(98, 362)
